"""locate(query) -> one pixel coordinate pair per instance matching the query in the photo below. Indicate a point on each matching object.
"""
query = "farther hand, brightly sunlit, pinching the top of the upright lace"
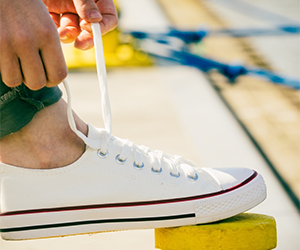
(73, 18)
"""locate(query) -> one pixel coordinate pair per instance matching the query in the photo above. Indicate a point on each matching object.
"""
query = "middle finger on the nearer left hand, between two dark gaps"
(33, 70)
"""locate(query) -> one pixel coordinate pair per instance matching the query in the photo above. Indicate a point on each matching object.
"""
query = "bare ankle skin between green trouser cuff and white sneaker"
(46, 142)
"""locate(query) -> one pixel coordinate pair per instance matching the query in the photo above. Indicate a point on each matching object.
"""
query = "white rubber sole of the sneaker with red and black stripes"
(45, 223)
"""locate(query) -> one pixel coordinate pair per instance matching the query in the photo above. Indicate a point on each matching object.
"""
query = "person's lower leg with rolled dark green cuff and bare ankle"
(34, 129)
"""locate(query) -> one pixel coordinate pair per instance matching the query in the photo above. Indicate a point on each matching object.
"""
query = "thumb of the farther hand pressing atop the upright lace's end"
(88, 10)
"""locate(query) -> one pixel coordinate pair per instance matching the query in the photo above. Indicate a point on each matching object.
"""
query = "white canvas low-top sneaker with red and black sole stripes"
(117, 185)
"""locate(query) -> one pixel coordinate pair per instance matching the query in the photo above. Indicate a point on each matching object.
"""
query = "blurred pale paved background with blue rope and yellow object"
(216, 81)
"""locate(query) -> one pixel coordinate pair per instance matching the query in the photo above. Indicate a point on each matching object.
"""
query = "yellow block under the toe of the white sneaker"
(245, 231)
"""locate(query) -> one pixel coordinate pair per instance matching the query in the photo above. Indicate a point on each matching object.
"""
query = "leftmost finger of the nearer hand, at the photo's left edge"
(10, 70)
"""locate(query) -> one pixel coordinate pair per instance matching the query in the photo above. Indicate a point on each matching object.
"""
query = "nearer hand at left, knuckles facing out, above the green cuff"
(30, 49)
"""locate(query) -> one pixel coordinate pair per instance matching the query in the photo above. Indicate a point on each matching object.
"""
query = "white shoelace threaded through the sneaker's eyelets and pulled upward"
(175, 163)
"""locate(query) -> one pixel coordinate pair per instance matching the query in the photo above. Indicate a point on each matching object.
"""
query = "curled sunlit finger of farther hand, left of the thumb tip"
(69, 27)
